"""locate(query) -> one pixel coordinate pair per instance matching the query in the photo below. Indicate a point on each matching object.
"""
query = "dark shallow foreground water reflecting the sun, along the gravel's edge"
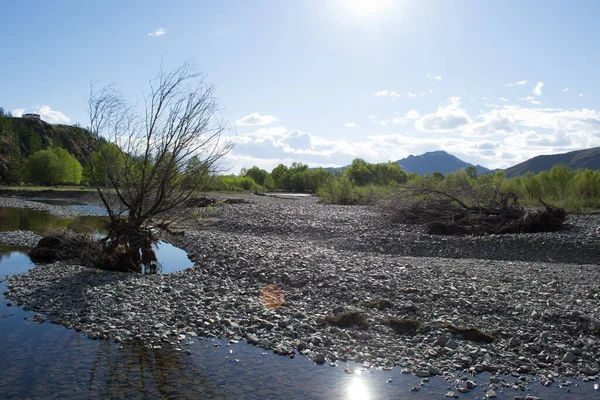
(49, 361)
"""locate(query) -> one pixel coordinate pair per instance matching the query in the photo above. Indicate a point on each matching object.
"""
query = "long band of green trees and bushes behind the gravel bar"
(365, 183)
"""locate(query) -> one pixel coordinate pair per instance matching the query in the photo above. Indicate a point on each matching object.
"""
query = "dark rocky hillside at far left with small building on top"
(21, 137)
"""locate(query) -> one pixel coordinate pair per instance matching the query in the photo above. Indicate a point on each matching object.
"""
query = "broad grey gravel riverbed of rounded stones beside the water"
(533, 300)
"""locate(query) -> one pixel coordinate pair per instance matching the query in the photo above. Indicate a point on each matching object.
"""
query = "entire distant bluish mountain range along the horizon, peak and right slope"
(441, 161)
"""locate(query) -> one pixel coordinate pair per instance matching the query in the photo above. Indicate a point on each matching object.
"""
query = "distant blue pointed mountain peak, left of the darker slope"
(436, 161)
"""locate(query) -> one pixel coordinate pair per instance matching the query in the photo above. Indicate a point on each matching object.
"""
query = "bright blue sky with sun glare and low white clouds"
(325, 81)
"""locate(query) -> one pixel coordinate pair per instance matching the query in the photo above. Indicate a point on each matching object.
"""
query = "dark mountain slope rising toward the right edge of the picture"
(579, 159)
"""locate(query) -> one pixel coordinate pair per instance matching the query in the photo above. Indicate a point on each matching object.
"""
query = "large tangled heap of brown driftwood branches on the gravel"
(443, 213)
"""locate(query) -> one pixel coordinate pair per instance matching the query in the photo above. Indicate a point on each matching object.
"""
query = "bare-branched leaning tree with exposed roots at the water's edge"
(157, 170)
